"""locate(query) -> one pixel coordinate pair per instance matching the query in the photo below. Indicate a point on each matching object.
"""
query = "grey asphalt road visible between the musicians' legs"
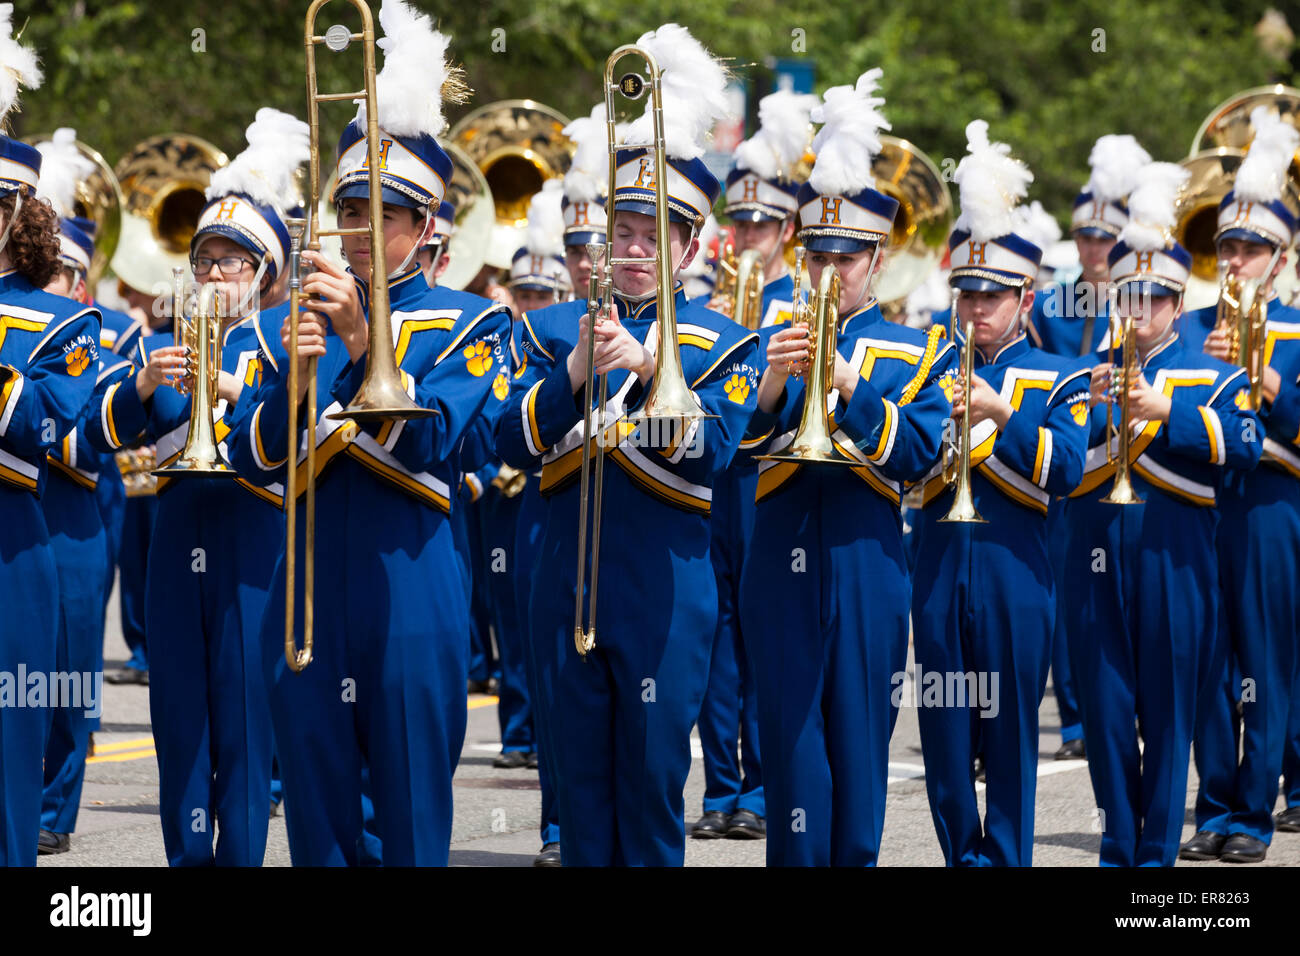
(497, 811)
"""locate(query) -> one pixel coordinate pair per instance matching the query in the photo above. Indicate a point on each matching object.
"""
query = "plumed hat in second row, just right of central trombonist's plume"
(762, 185)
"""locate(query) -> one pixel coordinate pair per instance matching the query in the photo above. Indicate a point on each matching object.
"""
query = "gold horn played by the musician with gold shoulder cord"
(813, 442)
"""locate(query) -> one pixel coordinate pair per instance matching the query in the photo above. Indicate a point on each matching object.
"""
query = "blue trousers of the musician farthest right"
(1259, 550)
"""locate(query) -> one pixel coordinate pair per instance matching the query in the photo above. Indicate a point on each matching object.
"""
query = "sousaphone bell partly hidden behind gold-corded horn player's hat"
(920, 236)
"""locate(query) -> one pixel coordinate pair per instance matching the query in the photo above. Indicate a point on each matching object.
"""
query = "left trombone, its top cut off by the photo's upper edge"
(382, 396)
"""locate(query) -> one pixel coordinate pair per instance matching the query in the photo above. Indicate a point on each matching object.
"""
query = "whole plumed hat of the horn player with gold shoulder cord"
(840, 210)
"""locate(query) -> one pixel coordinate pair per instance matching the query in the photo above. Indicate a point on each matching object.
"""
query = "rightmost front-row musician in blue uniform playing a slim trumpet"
(1142, 579)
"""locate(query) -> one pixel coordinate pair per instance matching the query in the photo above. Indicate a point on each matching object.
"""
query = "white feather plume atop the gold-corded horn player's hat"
(850, 139)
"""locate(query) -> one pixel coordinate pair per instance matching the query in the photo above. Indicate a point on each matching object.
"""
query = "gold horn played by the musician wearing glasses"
(201, 334)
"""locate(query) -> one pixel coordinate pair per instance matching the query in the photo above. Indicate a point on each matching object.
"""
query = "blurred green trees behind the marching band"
(1050, 76)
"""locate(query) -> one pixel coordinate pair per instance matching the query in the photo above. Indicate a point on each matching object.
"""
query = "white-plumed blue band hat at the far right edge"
(1254, 209)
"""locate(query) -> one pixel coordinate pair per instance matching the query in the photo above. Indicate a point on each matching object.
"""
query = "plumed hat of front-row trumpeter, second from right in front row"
(987, 249)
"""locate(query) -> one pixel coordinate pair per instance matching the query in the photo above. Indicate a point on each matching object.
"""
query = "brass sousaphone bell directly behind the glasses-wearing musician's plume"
(163, 180)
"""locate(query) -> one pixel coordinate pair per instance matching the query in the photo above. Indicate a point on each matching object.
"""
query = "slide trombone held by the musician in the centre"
(670, 396)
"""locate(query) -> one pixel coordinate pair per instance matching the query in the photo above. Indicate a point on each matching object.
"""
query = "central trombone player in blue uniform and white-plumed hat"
(622, 713)
